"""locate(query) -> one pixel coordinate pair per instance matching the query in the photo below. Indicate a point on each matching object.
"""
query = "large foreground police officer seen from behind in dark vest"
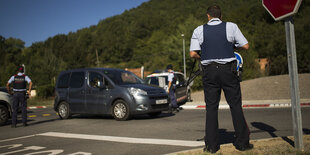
(216, 41)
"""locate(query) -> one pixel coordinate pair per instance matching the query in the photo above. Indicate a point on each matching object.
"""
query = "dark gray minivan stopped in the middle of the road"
(116, 92)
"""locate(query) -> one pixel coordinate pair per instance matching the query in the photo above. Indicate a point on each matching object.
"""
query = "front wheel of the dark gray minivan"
(120, 110)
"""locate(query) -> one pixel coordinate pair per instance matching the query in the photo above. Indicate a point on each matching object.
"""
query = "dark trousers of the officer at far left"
(19, 97)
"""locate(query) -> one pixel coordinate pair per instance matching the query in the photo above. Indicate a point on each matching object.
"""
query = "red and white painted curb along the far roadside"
(226, 106)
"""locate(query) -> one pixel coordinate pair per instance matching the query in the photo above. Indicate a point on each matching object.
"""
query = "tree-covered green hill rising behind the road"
(150, 36)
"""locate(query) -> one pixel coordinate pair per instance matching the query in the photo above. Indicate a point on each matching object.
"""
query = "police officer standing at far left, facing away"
(19, 81)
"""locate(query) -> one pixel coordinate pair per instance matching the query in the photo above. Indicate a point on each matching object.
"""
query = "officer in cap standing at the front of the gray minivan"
(171, 88)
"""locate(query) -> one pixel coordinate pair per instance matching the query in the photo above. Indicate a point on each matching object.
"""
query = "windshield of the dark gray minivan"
(122, 77)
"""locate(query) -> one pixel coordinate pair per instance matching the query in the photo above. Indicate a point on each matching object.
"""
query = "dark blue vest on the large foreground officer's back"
(215, 44)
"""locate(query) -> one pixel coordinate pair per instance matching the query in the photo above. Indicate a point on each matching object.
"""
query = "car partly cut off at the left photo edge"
(5, 106)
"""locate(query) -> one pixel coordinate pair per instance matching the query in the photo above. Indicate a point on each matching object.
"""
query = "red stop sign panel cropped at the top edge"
(280, 9)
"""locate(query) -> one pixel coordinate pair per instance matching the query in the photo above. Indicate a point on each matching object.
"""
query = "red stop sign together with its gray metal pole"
(285, 9)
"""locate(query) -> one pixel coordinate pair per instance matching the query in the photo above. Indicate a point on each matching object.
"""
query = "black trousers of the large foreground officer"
(215, 78)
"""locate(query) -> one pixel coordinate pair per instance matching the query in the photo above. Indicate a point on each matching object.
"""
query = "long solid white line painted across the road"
(125, 139)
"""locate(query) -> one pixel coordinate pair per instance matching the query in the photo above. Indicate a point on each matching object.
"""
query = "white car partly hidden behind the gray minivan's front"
(182, 93)
